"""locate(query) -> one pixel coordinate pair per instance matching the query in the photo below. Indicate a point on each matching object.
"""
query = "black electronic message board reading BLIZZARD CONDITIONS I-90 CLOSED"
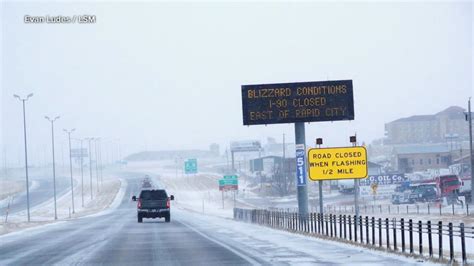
(297, 102)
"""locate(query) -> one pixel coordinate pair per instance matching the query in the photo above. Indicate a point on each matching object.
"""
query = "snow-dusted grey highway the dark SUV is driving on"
(115, 238)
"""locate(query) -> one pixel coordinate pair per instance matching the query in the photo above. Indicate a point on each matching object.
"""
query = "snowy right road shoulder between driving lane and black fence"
(281, 248)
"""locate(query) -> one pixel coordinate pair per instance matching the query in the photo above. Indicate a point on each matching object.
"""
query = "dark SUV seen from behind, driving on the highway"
(153, 203)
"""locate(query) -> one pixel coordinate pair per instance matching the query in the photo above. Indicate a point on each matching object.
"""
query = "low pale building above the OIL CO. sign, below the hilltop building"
(412, 158)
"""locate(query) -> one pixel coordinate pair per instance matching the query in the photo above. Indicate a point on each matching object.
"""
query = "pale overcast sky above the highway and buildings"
(168, 75)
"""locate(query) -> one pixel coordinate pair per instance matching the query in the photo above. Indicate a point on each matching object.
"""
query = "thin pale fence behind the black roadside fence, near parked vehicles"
(428, 208)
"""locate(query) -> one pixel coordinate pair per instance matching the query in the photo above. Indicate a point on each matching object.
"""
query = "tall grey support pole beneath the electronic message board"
(302, 188)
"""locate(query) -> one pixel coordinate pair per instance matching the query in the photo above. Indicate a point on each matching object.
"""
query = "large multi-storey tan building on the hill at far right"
(446, 126)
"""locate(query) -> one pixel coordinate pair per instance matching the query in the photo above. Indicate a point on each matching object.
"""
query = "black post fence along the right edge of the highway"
(435, 240)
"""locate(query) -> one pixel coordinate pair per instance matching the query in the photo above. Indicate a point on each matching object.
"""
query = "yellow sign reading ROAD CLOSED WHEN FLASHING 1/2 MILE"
(337, 163)
